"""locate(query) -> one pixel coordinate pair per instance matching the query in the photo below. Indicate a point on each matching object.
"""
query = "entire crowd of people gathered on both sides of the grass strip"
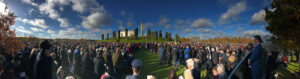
(94, 60)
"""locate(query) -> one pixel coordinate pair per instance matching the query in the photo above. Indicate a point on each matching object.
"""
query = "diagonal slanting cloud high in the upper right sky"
(233, 12)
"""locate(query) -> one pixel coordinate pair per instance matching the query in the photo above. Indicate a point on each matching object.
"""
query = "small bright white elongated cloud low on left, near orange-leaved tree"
(36, 22)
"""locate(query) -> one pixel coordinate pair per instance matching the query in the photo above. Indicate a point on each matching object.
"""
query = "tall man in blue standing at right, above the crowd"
(257, 60)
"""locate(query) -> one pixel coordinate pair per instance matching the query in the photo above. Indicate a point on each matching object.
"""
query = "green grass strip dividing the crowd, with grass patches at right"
(151, 67)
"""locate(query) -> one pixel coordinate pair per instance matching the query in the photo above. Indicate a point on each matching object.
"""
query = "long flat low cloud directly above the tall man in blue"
(251, 33)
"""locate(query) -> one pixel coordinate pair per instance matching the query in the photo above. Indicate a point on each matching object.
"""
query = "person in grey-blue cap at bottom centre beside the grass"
(136, 69)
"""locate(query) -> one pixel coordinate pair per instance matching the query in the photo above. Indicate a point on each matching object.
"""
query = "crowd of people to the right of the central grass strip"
(220, 59)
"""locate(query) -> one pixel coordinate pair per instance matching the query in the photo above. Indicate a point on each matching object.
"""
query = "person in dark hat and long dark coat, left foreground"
(42, 67)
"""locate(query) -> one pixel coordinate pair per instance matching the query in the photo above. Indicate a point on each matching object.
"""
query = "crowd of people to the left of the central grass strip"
(71, 60)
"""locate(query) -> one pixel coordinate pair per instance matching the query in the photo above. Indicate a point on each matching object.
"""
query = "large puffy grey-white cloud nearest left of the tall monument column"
(95, 21)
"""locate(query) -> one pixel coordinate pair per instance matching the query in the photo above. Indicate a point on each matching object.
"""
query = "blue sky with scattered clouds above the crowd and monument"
(88, 19)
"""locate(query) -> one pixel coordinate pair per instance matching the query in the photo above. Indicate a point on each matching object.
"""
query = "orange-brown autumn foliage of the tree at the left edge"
(8, 42)
